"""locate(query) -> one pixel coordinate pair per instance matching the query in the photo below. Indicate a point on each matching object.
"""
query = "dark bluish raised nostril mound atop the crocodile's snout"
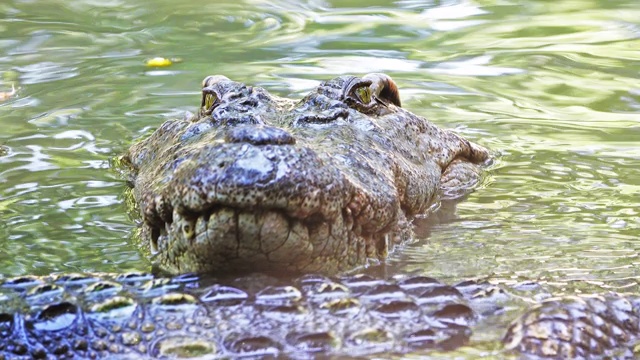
(259, 135)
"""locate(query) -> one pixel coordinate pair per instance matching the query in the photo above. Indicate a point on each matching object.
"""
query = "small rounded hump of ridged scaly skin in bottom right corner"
(572, 327)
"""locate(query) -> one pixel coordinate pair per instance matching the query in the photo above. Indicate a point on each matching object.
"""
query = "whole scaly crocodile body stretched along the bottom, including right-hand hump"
(137, 316)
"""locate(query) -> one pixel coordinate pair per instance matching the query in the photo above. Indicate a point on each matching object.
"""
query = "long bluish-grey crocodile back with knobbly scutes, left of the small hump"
(137, 316)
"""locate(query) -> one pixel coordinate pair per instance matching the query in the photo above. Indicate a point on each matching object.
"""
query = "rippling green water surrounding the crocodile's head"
(551, 87)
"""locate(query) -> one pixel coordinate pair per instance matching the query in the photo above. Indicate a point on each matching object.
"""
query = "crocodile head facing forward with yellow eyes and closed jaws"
(256, 182)
